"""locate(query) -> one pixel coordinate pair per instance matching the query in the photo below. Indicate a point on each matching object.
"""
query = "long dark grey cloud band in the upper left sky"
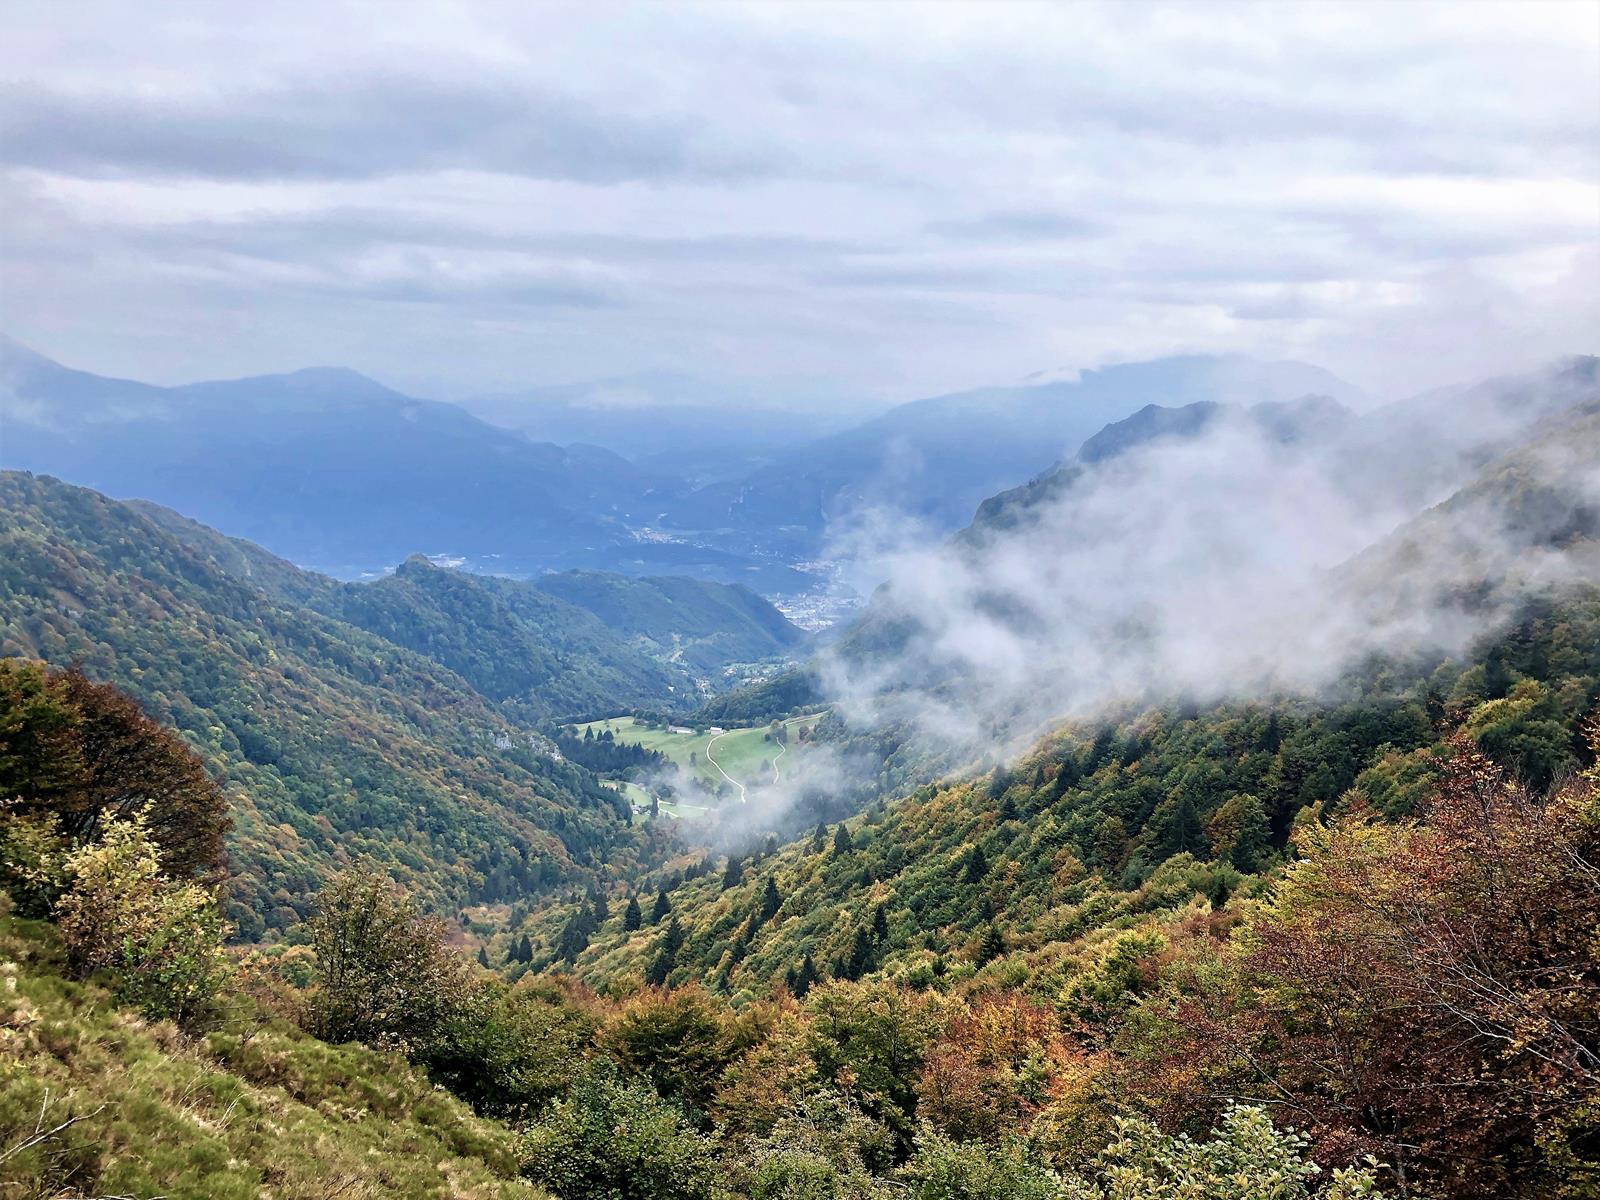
(351, 129)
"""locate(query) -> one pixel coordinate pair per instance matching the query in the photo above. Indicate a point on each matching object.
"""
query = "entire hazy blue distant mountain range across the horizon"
(345, 476)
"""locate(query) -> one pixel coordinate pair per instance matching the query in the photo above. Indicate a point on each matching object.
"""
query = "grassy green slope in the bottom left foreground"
(223, 1118)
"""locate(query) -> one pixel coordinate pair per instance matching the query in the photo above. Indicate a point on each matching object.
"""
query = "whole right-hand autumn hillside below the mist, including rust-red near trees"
(1345, 911)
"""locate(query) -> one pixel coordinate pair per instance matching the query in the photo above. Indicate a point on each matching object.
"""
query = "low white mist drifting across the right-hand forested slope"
(1233, 564)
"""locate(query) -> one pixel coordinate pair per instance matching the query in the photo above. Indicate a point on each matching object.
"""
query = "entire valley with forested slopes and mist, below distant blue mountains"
(1036, 858)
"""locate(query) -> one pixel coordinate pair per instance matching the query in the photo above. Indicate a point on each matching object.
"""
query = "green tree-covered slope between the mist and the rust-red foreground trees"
(1103, 823)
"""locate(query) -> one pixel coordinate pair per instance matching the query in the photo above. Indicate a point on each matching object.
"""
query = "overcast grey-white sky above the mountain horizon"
(863, 201)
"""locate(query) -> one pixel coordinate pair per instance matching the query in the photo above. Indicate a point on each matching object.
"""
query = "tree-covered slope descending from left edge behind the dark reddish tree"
(332, 743)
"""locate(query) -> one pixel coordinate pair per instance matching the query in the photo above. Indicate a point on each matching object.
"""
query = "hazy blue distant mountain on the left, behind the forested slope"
(338, 473)
